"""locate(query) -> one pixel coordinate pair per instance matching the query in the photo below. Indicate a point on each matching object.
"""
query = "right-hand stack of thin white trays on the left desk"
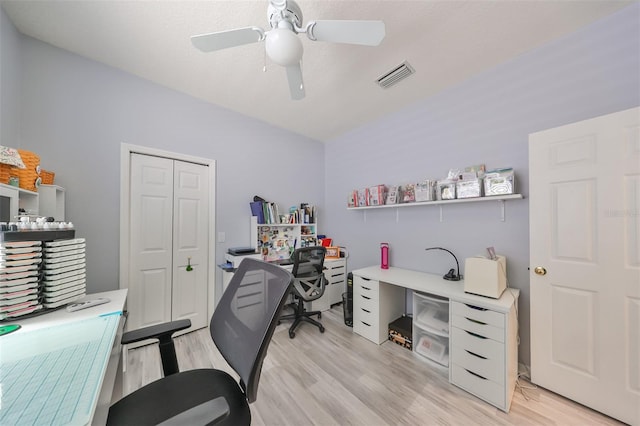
(64, 271)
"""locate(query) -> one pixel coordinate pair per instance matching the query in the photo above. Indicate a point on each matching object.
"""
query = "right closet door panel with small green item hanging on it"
(190, 243)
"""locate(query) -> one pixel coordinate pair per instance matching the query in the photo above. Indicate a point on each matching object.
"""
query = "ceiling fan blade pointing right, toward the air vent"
(368, 33)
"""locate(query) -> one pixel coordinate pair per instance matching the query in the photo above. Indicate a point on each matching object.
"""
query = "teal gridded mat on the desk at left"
(53, 375)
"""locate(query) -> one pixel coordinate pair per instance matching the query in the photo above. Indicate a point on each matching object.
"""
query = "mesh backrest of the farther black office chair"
(309, 280)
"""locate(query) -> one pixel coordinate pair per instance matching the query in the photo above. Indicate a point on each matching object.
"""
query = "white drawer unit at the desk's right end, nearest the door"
(483, 352)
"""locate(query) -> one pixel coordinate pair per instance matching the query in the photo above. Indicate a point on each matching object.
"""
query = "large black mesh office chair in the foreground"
(241, 328)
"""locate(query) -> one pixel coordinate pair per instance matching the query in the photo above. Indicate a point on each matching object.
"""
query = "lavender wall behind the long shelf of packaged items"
(487, 119)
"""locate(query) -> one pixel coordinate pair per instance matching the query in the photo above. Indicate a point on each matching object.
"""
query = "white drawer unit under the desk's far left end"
(373, 317)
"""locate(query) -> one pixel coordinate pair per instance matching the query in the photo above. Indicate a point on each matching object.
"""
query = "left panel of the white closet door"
(151, 246)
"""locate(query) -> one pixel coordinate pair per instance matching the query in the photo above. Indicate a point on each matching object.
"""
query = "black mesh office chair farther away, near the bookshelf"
(308, 285)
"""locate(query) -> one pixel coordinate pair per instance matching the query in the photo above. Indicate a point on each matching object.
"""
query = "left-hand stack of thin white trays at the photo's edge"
(20, 278)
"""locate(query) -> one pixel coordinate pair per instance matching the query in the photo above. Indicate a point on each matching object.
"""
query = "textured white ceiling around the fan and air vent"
(445, 41)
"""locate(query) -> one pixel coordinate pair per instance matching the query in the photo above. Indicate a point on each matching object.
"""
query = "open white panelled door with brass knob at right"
(585, 262)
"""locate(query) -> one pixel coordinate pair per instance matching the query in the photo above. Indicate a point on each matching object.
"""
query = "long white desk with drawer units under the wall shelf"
(482, 338)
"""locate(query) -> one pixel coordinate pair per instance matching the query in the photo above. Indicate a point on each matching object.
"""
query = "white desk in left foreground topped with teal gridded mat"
(36, 386)
